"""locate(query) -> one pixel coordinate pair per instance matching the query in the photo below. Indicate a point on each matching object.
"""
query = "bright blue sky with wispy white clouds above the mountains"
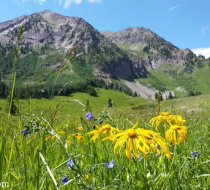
(184, 23)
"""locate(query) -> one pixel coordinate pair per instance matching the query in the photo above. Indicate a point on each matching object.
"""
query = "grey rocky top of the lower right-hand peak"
(164, 51)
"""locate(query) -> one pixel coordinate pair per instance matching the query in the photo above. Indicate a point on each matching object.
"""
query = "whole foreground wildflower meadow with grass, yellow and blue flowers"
(161, 147)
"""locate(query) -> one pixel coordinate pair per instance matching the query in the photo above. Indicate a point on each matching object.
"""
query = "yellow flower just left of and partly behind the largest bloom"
(104, 130)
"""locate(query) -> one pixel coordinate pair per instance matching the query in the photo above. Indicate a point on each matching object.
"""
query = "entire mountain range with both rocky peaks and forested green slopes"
(134, 58)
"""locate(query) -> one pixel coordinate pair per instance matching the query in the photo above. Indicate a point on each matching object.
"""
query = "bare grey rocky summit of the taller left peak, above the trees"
(48, 27)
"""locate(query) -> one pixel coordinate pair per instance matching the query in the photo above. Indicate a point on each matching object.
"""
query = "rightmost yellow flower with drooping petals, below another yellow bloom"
(175, 131)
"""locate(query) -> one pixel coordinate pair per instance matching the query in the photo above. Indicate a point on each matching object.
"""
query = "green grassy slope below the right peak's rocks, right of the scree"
(175, 78)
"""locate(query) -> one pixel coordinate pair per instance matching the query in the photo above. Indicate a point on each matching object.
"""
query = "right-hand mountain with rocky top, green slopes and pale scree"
(168, 67)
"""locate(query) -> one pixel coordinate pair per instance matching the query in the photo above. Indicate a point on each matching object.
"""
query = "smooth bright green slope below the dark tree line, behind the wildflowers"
(71, 110)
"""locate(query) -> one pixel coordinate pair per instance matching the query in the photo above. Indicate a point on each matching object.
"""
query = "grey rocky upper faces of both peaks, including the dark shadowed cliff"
(106, 58)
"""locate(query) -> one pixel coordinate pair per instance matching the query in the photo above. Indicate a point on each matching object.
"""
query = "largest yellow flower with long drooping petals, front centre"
(139, 139)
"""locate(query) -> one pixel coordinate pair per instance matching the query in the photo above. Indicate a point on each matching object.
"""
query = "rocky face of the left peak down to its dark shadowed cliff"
(62, 32)
